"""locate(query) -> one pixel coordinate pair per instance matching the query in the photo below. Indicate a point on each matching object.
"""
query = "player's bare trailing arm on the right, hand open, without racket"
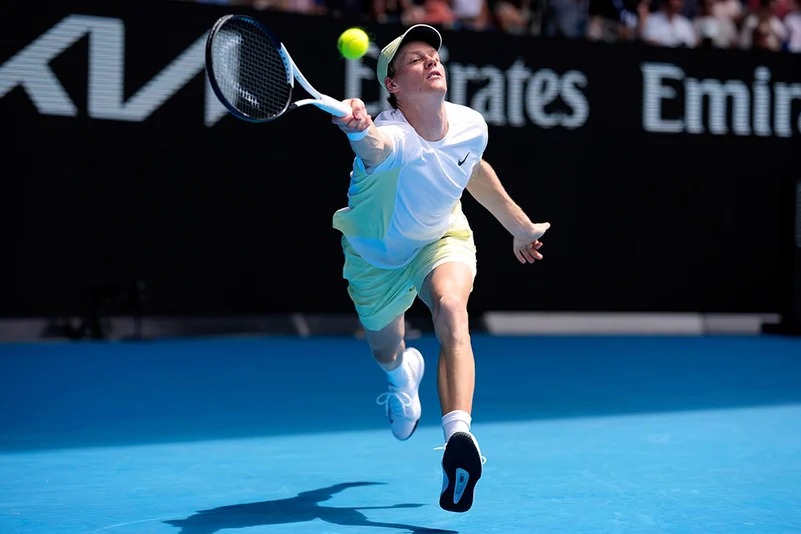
(487, 189)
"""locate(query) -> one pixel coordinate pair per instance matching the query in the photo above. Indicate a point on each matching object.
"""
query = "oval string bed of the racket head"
(250, 71)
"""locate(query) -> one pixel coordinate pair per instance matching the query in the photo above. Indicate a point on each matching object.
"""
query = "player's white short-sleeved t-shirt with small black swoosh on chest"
(410, 200)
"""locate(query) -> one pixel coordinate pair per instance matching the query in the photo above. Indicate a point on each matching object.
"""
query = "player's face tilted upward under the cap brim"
(417, 69)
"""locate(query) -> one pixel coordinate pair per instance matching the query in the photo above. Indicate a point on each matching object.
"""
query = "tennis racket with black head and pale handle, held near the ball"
(253, 75)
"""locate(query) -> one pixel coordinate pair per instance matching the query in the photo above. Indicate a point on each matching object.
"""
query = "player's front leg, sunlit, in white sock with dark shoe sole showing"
(446, 291)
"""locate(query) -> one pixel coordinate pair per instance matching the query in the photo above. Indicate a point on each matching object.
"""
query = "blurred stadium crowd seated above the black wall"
(773, 25)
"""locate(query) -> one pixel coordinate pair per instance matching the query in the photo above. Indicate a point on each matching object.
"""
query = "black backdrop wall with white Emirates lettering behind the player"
(663, 172)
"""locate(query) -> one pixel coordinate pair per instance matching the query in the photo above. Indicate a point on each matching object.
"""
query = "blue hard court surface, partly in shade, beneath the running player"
(263, 435)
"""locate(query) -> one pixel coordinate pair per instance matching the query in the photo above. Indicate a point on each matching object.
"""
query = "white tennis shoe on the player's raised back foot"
(403, 402)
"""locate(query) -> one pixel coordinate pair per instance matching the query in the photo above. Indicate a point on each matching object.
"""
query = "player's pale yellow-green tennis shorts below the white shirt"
(381, 295)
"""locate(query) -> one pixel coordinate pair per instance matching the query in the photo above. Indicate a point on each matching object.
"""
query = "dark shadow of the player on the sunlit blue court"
(303, 508)
